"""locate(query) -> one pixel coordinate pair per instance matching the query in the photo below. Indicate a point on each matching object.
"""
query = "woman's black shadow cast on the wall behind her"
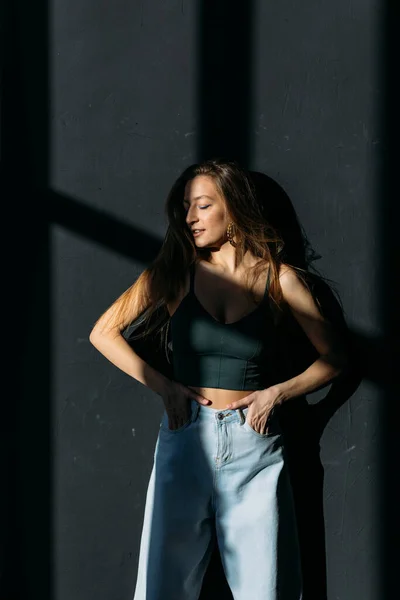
(303, 423)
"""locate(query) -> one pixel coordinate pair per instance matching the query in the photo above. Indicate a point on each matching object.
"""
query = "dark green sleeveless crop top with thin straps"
(233, 356)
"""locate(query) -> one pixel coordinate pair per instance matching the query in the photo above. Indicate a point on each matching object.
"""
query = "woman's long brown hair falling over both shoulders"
(162, 281)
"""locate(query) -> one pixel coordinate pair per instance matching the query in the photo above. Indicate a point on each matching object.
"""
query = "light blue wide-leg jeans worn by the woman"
(216, 475)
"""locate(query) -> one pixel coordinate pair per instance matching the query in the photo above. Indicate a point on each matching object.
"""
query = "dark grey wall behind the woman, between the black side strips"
(138, 91)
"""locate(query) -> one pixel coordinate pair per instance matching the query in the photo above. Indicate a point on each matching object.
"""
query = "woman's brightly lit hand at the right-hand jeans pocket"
(260, 403)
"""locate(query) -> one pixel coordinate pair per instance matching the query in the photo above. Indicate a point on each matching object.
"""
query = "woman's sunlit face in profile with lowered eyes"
(205, 209)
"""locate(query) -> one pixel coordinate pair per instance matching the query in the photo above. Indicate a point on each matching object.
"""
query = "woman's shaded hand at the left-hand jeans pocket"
(177, 400)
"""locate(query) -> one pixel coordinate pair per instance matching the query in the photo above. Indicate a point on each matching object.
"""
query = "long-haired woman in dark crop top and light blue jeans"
(219, 463)
